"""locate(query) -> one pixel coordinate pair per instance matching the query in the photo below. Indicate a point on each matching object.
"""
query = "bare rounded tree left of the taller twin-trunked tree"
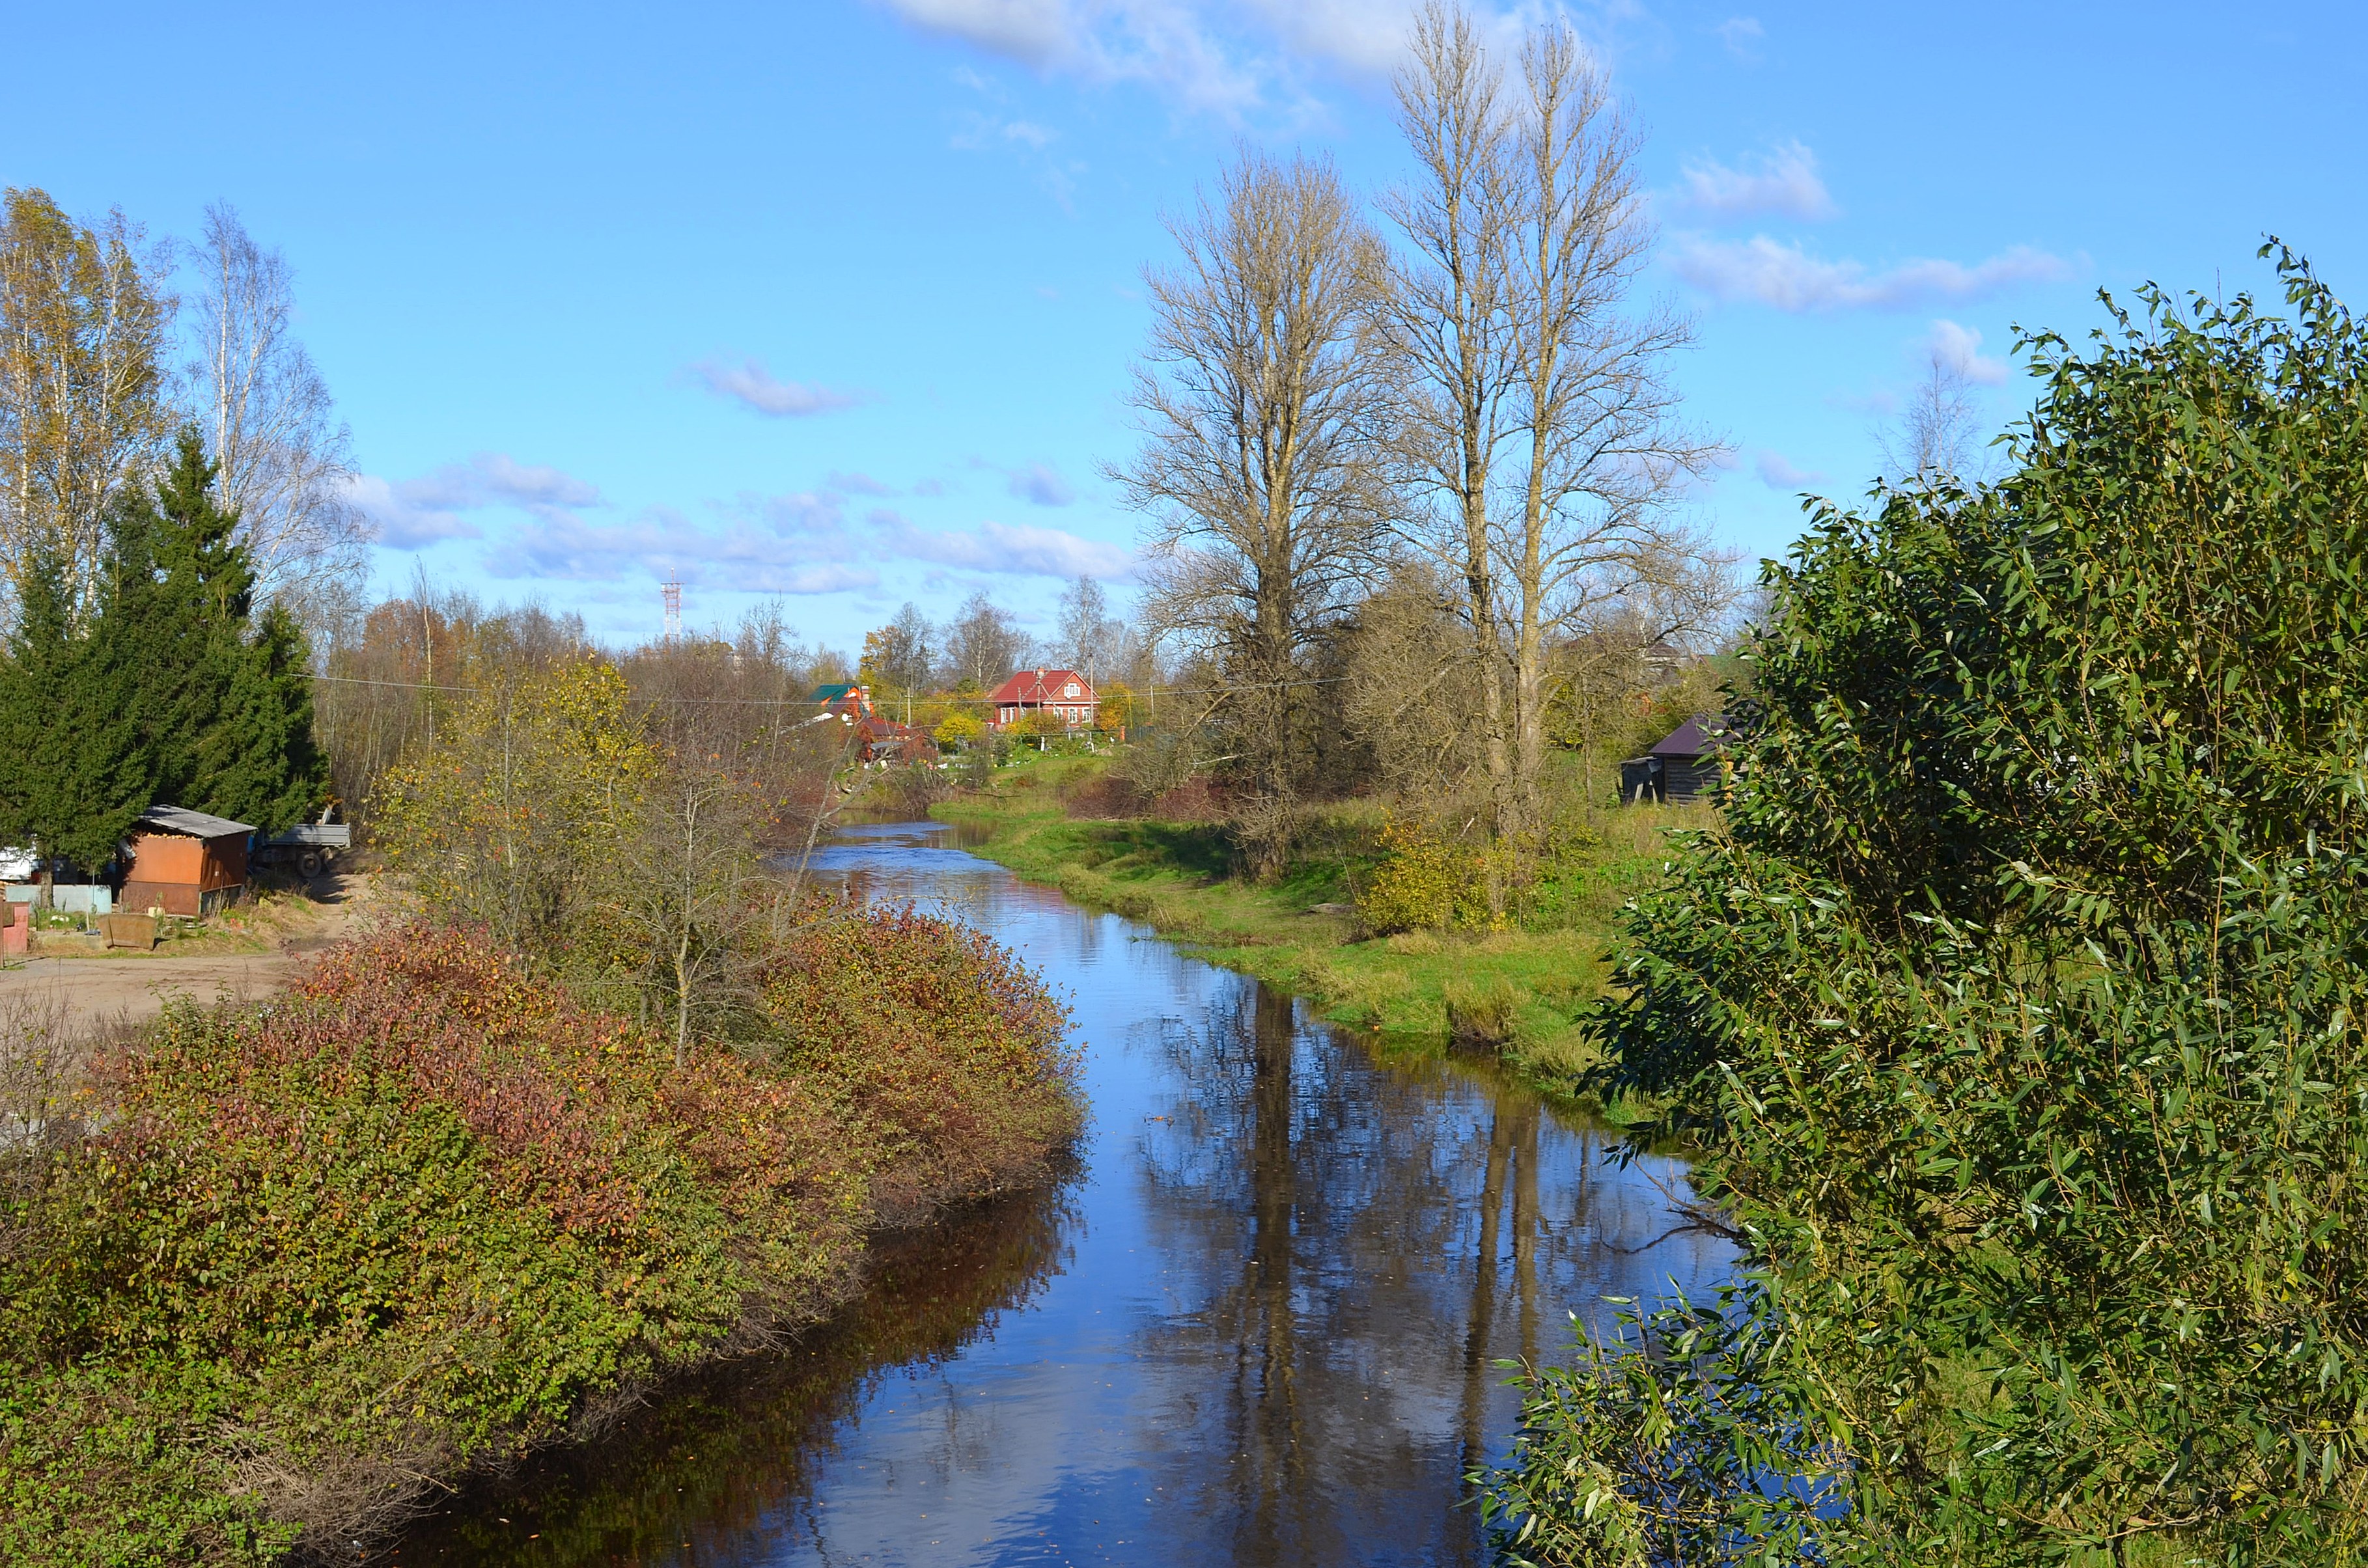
(1259, 401)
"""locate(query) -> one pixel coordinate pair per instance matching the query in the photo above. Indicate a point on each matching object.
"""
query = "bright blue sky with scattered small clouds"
(837, 300)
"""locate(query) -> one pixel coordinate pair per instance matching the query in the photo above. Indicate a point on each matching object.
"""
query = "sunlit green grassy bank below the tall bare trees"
(1526, 984)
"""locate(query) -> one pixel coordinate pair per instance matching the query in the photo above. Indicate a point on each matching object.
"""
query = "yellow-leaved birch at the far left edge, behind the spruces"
(82, 383)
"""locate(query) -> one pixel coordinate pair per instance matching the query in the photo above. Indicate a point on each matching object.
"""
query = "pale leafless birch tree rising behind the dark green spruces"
(285, 461)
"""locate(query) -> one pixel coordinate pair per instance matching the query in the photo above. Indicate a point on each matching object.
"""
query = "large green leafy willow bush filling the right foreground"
(2019, 1003)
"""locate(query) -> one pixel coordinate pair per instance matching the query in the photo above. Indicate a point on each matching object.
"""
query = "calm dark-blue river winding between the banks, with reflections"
(1256, 1325)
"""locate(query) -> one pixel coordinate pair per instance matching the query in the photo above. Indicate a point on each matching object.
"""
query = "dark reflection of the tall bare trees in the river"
(1370, 1240)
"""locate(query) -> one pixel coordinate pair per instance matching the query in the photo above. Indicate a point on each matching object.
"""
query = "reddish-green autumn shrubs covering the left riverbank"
(271, 1275)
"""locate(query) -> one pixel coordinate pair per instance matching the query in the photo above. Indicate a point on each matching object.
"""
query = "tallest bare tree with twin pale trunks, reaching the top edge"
(1543, 423)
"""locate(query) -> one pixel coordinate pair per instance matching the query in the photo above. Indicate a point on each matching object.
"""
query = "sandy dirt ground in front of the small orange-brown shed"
(136, 984)
